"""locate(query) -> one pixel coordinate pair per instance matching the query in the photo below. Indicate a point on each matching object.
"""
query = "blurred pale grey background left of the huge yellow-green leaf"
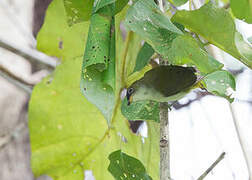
(19, 24)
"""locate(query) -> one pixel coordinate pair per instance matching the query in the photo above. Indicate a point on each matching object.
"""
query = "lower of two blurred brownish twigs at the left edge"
(20, 83)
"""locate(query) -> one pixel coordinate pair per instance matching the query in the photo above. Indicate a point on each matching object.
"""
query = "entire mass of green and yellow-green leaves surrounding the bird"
(71, 133)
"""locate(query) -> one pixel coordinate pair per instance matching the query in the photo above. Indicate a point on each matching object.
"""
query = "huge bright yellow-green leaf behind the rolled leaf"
(68, 134)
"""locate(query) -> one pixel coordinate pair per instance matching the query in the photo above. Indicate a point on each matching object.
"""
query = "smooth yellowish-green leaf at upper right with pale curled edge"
(217, 26)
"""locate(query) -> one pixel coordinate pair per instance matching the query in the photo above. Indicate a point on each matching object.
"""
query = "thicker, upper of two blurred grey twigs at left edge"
(29, 54)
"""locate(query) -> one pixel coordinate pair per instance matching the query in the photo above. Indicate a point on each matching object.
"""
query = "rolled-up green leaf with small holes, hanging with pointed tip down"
(98, 70)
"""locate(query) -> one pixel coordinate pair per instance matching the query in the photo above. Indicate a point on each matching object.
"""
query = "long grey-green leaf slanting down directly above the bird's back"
(145, 19)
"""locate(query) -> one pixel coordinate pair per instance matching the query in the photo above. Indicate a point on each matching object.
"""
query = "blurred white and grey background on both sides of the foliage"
(202, 126)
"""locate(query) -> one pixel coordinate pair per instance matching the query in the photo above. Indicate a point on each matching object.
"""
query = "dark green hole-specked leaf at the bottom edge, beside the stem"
(123, 166)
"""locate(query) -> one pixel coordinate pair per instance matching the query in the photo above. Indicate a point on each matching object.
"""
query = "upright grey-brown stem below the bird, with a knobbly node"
(164, 143)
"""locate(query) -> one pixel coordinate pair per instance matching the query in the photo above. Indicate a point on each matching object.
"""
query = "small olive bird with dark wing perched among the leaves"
(163, 84)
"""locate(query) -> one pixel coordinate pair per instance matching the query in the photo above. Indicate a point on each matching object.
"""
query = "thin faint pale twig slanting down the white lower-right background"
(237, 129)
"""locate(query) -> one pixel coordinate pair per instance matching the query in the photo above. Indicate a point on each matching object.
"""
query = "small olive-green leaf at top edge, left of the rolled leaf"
(78, 11)
